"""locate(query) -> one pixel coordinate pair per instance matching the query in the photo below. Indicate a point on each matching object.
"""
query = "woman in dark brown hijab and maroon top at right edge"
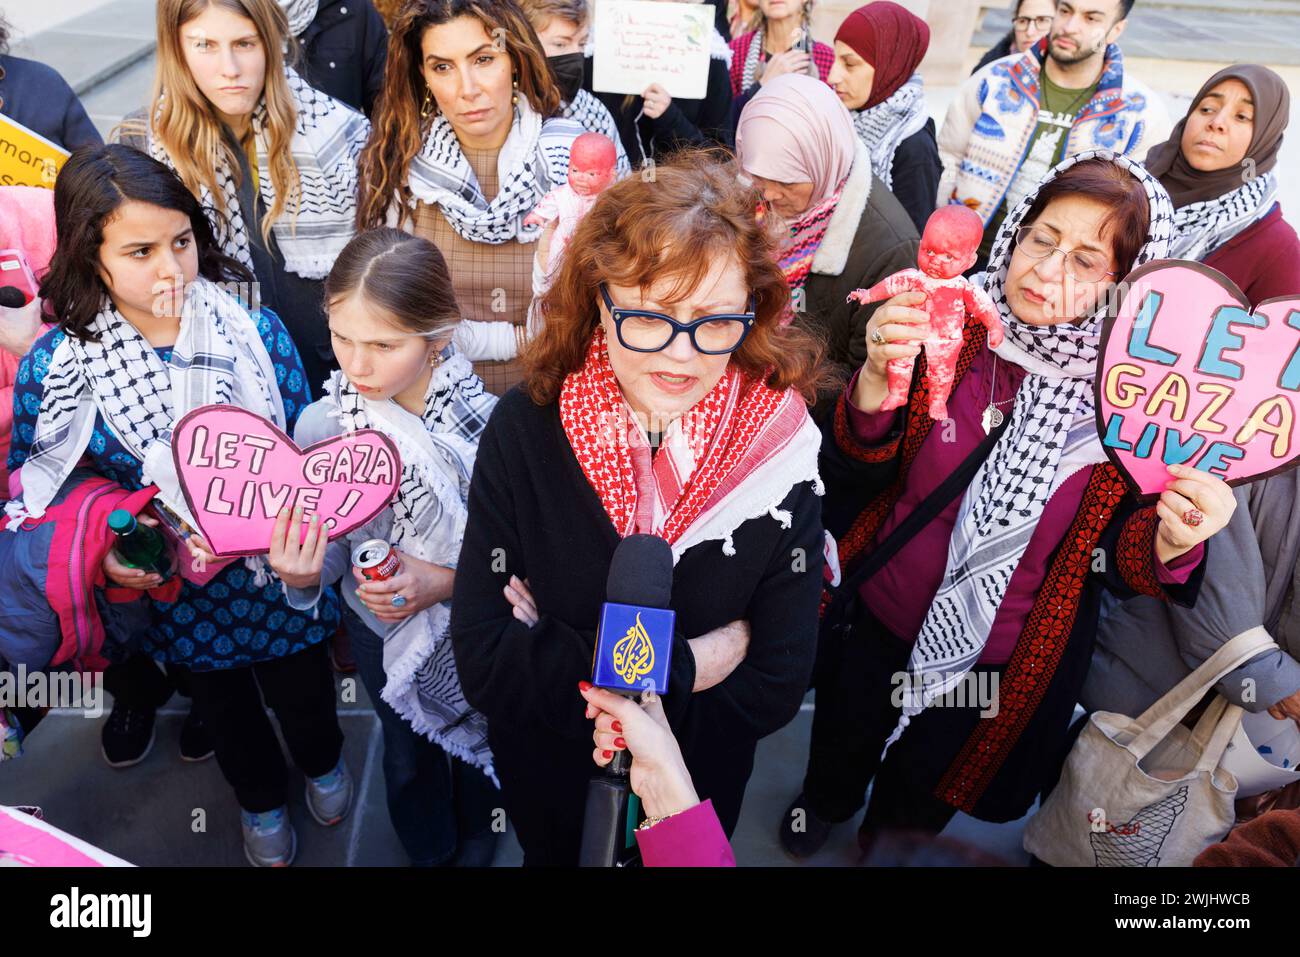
(1219, 166)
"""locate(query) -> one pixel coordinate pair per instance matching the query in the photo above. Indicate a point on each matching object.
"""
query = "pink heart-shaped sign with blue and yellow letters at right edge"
(1191, 376)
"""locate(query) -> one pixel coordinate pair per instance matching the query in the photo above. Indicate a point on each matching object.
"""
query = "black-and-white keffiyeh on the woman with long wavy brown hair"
(532, 162)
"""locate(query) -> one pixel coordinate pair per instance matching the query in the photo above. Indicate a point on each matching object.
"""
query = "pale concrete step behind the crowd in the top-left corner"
(97, 46)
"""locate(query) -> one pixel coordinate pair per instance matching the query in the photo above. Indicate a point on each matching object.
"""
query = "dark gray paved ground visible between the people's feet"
(167, 812)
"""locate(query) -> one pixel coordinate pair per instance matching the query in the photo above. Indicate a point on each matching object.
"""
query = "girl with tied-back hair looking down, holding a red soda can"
(392, 318)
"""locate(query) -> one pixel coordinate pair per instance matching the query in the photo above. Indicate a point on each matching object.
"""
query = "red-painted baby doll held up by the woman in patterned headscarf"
(948, 249)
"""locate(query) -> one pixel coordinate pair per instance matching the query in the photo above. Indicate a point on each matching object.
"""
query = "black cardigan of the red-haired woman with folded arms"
(534, 514)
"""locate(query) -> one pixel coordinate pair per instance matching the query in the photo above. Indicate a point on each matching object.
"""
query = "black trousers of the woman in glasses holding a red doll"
(857, 681)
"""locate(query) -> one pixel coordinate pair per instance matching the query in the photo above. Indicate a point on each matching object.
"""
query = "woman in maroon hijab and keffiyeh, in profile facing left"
(878, 50)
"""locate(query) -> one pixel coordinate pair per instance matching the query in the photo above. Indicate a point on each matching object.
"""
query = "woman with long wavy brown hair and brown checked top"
(467, 141)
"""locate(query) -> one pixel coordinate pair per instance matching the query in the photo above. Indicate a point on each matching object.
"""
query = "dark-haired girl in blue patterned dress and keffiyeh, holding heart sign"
(146, 334)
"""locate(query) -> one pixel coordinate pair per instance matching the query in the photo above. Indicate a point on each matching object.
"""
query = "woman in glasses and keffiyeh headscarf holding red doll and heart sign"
(976, 552)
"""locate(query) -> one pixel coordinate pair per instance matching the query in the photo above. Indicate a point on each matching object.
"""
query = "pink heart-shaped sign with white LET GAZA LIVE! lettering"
(239, 470)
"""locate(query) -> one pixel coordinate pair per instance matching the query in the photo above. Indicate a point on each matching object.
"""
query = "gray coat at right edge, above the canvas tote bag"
(1145, 648)
